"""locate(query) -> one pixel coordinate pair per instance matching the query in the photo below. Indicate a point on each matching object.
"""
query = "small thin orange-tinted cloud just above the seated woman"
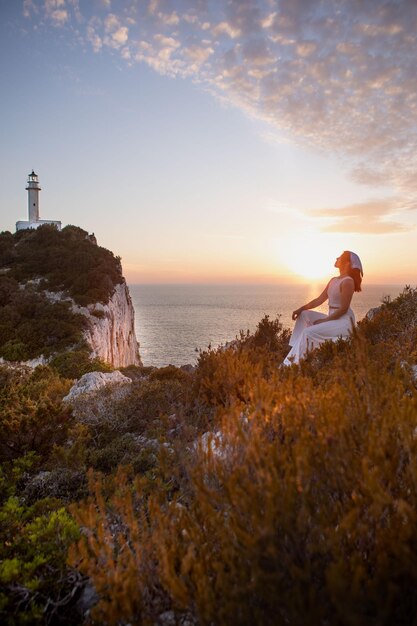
(371, 217)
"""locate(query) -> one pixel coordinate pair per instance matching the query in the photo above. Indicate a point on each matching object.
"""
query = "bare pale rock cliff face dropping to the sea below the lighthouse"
(111, 329)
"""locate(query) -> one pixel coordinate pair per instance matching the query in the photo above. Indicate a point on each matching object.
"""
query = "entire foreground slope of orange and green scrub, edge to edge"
(239, 493)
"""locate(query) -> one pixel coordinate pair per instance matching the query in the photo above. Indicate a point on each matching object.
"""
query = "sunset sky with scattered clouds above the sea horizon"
(207, 141)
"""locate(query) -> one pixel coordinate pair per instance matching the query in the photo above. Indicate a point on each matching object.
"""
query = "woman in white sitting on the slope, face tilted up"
(313, 328)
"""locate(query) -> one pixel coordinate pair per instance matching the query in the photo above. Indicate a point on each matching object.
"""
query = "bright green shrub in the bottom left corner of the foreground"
(36, 587)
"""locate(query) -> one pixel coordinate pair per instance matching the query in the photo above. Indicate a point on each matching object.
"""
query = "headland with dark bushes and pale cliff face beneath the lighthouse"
(56, 288)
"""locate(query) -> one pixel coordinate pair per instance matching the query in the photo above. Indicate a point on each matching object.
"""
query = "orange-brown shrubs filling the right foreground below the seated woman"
(301, 510)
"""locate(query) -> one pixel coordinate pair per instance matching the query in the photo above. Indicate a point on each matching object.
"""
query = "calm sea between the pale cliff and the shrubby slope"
(175, 322)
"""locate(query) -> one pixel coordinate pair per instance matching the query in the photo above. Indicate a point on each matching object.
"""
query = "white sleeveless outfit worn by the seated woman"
(306, 337)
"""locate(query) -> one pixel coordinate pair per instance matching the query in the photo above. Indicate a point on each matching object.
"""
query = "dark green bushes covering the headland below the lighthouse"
(33, 261)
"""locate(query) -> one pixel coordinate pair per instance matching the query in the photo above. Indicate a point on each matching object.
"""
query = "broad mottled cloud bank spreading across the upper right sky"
(337, 75)
